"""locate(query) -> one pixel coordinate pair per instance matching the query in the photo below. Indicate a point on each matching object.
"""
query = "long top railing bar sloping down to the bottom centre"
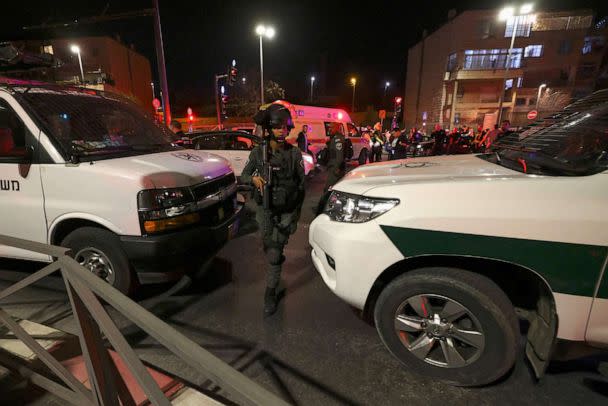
(245, 389)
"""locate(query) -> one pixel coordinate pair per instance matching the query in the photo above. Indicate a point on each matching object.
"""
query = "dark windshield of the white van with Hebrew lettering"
(94, 126)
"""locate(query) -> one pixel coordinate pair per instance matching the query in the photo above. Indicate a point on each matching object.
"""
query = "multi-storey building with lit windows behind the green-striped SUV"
(455, 75)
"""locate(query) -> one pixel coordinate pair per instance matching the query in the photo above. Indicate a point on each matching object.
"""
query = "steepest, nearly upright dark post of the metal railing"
(103, 388)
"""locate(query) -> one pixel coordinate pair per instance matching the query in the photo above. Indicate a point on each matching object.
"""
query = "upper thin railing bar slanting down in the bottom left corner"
(44, 355)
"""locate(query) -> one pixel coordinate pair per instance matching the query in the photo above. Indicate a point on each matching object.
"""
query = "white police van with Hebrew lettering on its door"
(89, 171)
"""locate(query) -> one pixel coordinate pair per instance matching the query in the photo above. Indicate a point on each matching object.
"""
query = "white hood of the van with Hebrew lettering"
(166, 169)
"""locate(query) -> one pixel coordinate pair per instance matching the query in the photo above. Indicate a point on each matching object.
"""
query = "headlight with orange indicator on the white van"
(166, 209)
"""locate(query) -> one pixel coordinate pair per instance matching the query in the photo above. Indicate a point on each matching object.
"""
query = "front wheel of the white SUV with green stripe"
(449, 324)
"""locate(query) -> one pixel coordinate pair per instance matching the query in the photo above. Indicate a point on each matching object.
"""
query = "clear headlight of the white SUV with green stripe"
(348, 208)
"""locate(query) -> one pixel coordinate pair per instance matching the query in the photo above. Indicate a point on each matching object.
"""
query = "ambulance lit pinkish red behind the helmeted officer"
(318, 120)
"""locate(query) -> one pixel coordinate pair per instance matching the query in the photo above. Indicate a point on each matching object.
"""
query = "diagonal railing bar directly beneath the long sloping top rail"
(120, 344)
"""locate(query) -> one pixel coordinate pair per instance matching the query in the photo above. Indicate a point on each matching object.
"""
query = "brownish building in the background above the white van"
(107, 63)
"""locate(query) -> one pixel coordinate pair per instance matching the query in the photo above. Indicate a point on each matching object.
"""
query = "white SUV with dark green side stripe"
(442, 251)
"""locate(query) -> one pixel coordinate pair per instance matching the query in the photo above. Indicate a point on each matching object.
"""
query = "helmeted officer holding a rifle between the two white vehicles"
(286, 192)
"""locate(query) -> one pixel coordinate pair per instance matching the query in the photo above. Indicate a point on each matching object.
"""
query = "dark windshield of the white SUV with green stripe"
(571, 143)
